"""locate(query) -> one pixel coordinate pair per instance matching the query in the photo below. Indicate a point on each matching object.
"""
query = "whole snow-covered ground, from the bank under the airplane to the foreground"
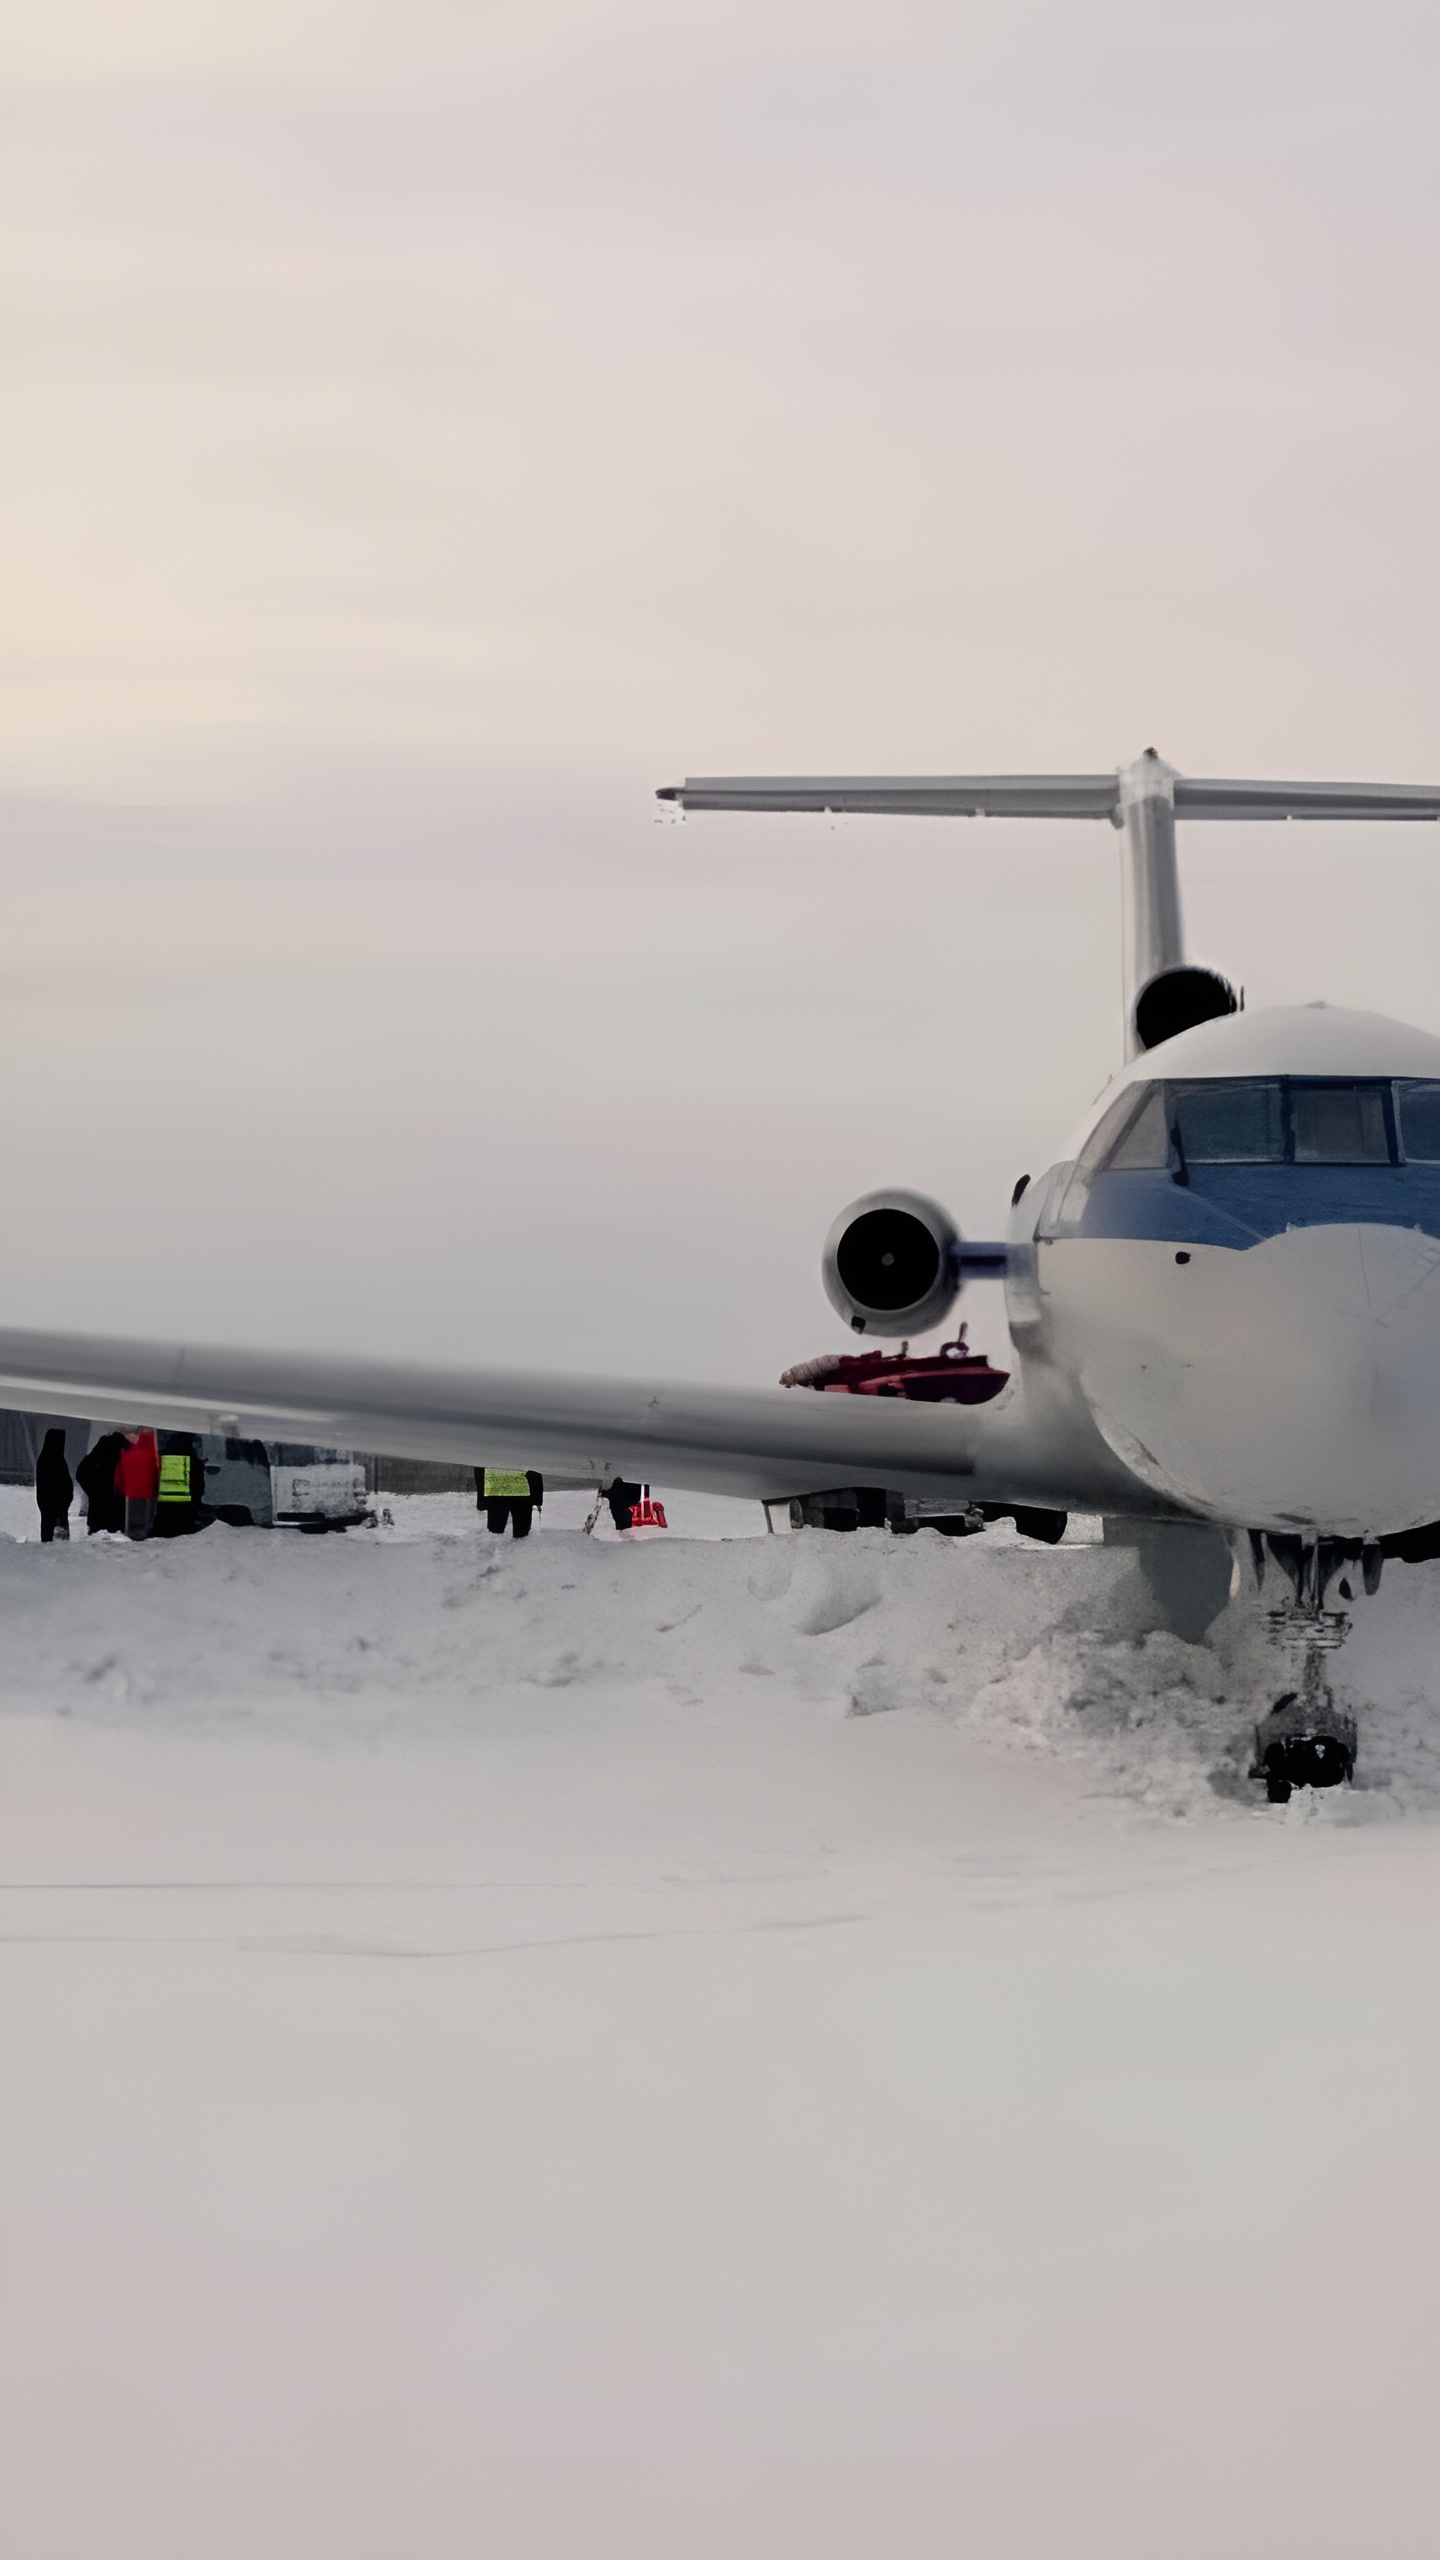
(703, 2044)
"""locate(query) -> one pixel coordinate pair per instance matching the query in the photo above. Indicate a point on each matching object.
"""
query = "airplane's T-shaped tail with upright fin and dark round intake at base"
(1165, 995)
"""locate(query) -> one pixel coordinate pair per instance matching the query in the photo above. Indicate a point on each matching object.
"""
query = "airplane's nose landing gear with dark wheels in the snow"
(1308, 1740)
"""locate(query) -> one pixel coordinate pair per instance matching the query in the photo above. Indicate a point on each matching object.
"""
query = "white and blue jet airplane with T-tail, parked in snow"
(1223, 1294)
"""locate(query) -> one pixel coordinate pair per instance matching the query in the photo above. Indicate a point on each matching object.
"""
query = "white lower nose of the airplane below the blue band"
(1293, 1386)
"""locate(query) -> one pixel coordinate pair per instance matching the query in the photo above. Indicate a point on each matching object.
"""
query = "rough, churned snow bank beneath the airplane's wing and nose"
(429, 1627)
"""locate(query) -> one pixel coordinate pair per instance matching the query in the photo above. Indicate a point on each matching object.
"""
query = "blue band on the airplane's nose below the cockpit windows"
(1244, 1204)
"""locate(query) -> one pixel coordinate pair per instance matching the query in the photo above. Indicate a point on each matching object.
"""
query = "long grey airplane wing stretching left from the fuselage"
(760, 1443)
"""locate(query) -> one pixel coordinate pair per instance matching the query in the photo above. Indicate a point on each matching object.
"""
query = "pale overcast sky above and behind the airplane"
(429, 429)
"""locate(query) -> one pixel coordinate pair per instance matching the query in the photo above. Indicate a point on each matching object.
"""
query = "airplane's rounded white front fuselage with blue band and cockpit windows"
(1236, 1271)
